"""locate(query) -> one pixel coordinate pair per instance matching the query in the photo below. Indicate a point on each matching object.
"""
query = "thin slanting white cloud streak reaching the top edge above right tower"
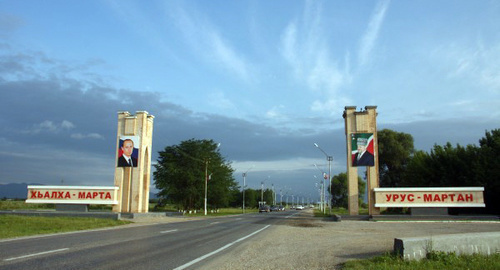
(370, 37)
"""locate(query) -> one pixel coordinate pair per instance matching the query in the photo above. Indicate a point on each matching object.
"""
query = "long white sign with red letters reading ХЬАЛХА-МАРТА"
(72, 195)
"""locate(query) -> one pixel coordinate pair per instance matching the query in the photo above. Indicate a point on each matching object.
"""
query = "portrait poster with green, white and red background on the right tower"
(362, 149)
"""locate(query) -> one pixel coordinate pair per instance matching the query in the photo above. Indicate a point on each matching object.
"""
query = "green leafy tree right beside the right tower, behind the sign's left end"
(395, 151)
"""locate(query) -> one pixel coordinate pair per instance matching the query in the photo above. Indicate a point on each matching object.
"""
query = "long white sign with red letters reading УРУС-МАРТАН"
(429, 197)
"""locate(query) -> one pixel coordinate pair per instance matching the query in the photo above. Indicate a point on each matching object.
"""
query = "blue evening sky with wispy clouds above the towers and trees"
(266, 79)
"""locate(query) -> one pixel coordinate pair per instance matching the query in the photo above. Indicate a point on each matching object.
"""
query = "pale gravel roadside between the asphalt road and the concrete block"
(305, 243)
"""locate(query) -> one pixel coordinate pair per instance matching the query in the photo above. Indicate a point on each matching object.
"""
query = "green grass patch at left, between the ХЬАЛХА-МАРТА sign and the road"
(16, 226)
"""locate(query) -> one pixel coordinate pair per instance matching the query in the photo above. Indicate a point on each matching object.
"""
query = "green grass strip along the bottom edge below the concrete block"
(435, 260)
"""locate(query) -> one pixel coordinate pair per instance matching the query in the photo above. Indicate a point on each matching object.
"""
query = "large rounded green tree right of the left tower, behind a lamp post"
(181, 170)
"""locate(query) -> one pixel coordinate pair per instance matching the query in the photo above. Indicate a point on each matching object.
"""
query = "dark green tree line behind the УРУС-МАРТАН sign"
(400, 165)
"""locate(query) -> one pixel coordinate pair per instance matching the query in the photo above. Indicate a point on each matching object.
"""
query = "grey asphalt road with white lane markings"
(180, 245)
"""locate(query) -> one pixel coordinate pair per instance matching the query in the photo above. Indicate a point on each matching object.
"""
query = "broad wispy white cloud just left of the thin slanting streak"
(305, 48)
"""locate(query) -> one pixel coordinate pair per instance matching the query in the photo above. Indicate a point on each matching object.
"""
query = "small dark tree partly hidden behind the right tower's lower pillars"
(339, 190)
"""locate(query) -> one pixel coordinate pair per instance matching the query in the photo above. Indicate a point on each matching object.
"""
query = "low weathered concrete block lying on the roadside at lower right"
(416, 248)
